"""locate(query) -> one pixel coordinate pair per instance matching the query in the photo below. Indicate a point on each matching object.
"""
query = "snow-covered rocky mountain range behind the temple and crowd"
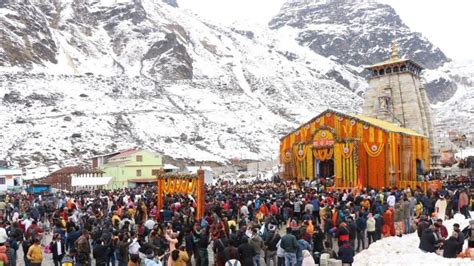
(81, 77)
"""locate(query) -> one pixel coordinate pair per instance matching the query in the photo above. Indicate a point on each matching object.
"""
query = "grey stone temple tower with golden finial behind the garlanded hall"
(397, 95)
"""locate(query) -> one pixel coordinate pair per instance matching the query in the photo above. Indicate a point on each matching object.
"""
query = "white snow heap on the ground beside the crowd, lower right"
(405, 251)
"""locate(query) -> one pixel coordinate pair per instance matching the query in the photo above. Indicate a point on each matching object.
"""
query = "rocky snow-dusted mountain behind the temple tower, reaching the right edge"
(360, 32)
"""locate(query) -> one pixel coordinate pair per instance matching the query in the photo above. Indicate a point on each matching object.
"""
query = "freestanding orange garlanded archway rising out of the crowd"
(182, 184)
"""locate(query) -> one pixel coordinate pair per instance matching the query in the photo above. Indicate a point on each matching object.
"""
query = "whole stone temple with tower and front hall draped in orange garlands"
(389, 145)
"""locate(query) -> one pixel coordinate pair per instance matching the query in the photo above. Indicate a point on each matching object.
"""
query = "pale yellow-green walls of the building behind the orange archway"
(124, 169)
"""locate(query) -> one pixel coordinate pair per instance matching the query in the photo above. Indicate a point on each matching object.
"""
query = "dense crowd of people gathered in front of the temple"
(257, 223)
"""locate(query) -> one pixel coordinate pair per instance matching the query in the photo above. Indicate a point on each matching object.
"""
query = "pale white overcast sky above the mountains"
(448, 24)
